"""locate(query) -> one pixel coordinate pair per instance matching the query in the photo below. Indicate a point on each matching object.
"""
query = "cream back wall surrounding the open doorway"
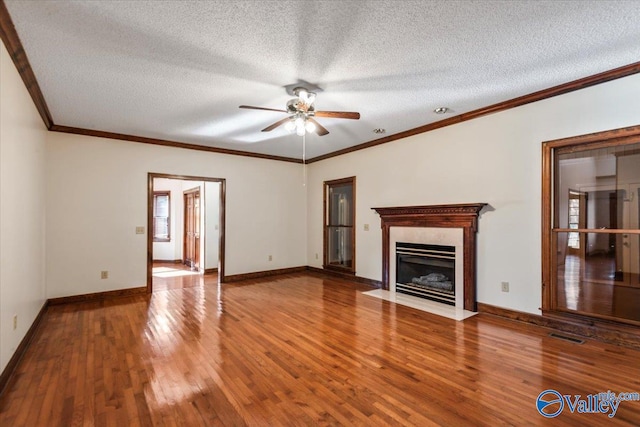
(97, 195)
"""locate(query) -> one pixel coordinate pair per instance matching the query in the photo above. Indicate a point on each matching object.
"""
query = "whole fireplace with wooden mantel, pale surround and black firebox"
(436, 225)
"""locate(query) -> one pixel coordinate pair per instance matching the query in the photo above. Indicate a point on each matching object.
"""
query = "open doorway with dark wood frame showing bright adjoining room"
(193, 240)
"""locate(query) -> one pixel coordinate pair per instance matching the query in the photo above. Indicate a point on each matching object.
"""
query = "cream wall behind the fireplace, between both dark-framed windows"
(494, 159)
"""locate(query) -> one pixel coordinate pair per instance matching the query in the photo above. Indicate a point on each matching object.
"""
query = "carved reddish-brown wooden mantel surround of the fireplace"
(463, 216)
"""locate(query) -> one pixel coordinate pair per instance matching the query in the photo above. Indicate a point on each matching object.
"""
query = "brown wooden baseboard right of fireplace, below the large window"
(598, 330)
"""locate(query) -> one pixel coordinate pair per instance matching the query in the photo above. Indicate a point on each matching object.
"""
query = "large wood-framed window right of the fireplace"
(591, 226)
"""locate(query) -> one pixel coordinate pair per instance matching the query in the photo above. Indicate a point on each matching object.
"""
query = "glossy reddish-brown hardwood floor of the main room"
(300, 349)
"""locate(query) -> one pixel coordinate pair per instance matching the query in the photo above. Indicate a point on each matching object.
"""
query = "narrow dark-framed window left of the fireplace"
(339, 225)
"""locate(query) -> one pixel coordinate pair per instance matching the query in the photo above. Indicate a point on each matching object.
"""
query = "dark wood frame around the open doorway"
(221, 219)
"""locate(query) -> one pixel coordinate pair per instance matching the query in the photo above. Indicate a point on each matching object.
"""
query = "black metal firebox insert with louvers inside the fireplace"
(426, 271)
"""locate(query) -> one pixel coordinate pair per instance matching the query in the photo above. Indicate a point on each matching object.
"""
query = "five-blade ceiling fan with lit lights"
(301, 113)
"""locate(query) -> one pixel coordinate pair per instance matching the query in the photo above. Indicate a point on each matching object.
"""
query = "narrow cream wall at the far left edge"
(22, 209)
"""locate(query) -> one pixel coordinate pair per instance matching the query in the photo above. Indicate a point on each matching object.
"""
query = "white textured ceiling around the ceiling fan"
(178, 70)
